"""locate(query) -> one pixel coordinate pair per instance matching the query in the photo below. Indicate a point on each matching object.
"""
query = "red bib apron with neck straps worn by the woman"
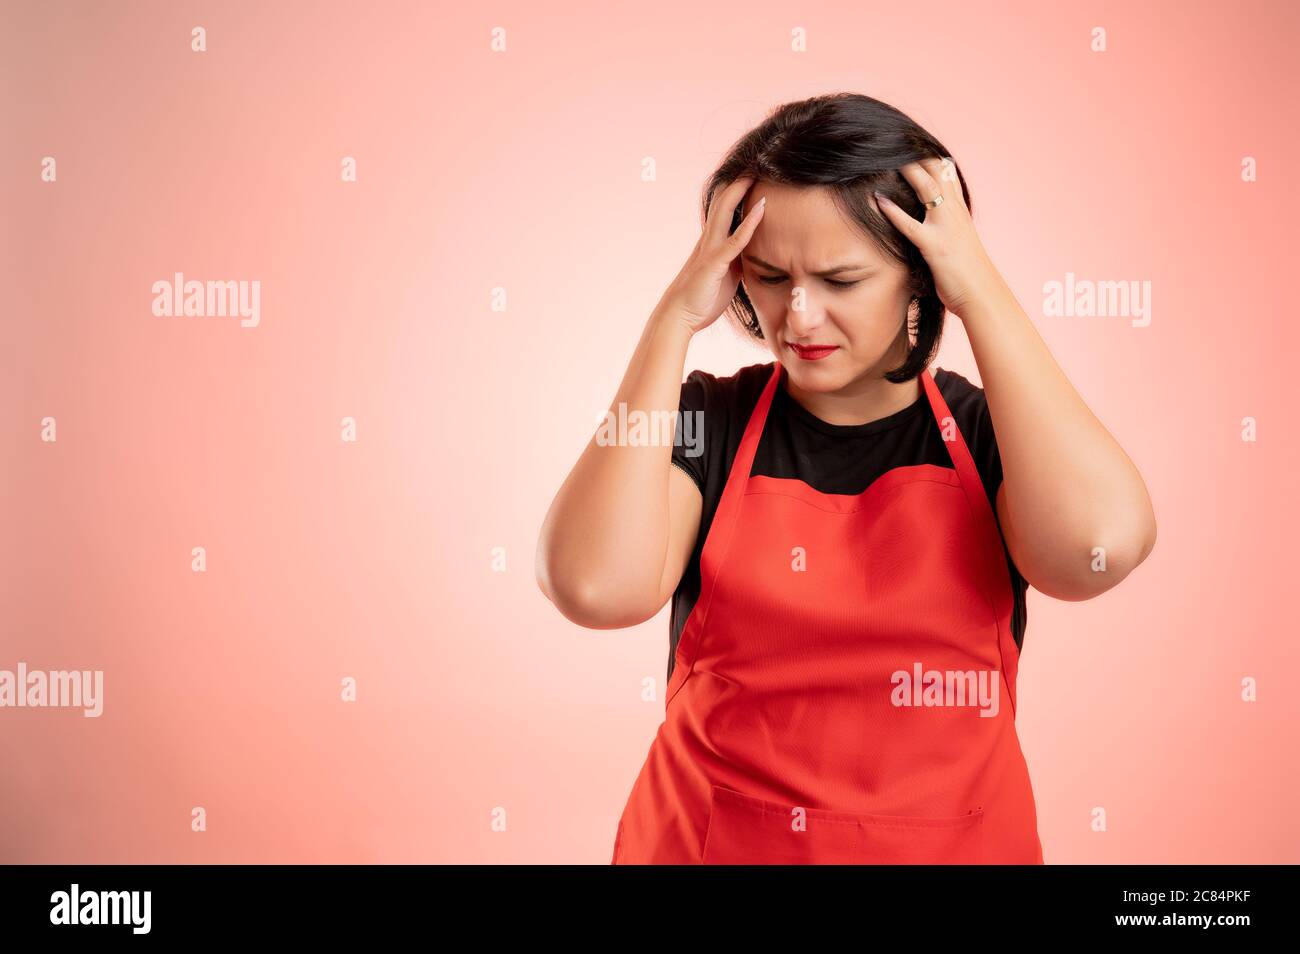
(844, 688)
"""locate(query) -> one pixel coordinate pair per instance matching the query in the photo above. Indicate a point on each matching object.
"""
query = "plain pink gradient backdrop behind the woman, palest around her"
(523, 171)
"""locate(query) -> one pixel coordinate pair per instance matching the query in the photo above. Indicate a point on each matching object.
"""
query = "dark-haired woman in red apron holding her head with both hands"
(850, 554)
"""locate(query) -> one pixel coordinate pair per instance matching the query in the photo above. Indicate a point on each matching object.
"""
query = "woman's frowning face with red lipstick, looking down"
(860, 310)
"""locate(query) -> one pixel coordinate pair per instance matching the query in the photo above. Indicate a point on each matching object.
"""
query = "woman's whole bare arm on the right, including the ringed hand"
(1074, 510)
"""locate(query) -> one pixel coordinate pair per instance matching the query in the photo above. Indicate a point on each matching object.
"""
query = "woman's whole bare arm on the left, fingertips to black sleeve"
(622, 528)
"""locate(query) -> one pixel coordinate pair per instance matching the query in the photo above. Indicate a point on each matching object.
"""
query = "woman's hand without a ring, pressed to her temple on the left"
(709, 280)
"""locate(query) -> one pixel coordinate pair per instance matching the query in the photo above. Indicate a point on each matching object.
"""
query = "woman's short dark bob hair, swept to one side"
(855, 145)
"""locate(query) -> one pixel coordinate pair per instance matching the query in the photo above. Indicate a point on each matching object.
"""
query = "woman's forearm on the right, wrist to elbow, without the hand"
(1069, 485)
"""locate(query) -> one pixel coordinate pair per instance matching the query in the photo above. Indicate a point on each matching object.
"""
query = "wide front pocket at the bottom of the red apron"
(744, 830)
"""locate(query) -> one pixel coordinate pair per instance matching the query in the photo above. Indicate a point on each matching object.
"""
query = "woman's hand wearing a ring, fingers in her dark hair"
(964, 274)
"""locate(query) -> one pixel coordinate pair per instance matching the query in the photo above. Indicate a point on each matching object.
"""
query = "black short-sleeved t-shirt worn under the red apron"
(830, 458)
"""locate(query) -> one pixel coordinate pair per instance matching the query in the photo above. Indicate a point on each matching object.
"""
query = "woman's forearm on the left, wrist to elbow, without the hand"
(604, 543)
